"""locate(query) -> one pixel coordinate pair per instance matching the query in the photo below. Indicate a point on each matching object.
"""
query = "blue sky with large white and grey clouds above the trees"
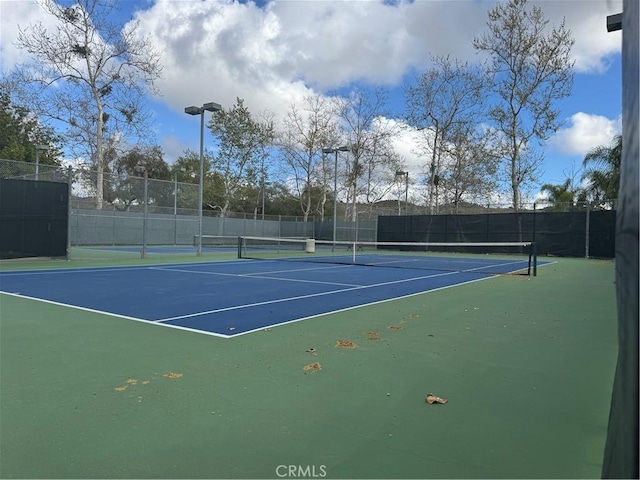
(272, 54)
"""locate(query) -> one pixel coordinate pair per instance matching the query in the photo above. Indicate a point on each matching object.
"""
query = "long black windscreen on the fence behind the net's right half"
(571, 234)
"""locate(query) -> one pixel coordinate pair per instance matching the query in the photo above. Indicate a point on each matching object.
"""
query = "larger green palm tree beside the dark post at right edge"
(604, 175)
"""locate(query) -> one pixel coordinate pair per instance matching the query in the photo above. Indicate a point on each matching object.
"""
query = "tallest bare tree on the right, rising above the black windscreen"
(531, 68)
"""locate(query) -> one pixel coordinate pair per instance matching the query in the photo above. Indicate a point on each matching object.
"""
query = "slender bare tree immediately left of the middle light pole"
(306, 132)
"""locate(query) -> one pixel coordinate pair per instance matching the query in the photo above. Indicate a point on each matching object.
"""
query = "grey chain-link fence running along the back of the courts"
(170, 214)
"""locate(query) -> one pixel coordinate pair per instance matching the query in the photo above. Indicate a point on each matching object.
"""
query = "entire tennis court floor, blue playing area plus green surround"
(525, 362)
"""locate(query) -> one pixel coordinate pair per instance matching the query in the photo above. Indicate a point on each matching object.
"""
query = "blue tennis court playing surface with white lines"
(227, 298)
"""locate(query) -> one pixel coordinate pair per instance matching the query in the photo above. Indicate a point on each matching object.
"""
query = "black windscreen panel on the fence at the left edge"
(34, 218)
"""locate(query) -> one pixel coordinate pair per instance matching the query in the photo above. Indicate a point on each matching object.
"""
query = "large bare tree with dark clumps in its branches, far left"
(90, 73)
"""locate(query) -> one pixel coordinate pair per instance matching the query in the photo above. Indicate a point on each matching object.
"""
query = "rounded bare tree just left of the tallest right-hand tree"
(447, 100)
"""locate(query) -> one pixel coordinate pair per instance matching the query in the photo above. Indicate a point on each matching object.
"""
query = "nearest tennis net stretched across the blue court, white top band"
(503, 258)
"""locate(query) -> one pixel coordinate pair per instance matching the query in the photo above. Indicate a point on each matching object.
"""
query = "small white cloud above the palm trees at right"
(585, 132)
